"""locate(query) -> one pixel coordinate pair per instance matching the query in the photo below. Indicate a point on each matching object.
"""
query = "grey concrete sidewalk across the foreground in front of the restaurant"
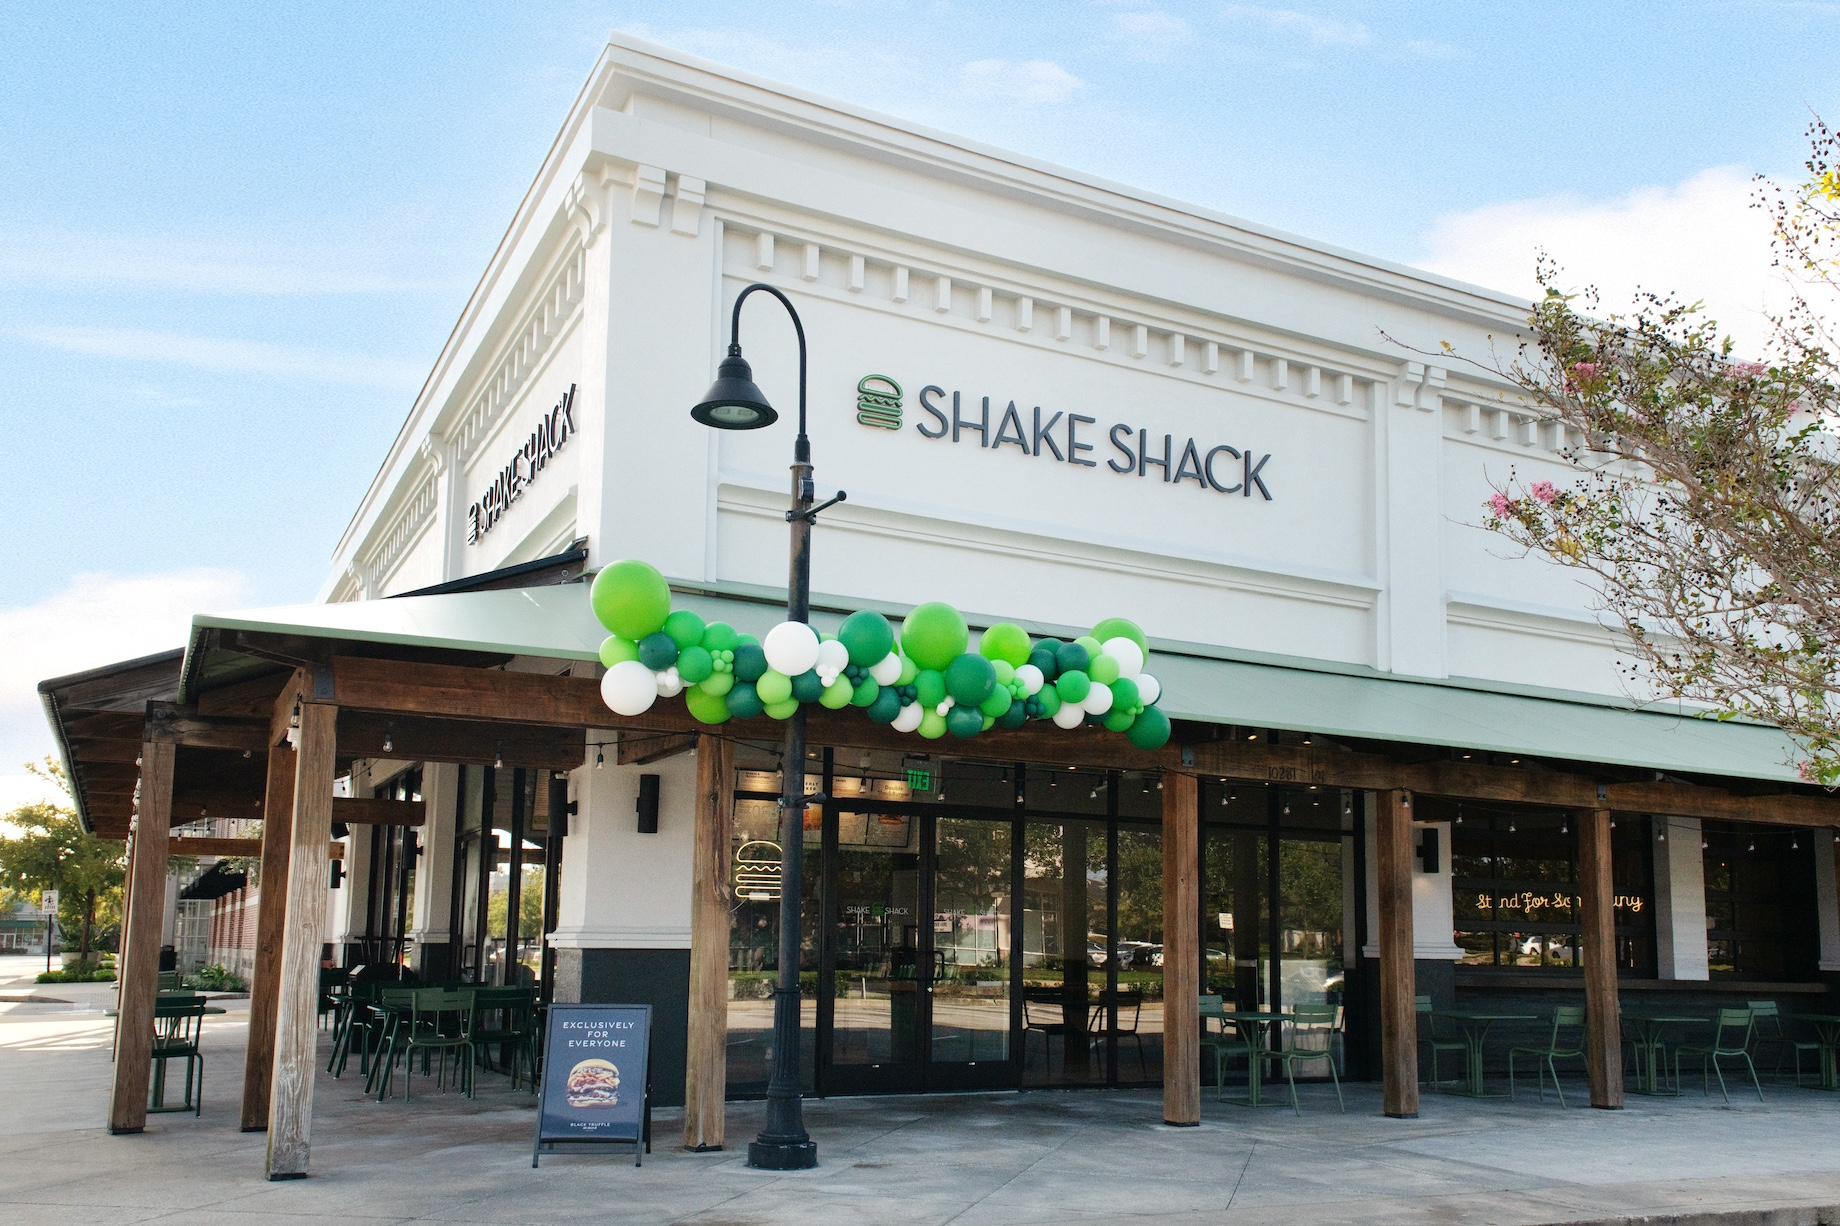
(972, 1161)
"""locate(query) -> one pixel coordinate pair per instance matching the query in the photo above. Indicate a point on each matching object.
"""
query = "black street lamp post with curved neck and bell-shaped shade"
(735, 404)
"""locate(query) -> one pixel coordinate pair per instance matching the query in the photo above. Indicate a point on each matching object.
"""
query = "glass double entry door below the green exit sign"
(919, 953)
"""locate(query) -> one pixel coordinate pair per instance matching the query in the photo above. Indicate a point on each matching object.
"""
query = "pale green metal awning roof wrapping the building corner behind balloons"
(1202, 684)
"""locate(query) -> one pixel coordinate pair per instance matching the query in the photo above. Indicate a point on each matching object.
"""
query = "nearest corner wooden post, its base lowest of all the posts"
(303, 931)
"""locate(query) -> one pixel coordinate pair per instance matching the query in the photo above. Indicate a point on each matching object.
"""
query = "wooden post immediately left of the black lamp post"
(707, 1069)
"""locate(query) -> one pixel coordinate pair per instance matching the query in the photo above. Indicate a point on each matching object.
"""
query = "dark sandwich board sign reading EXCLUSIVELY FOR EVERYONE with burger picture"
(597, 1070)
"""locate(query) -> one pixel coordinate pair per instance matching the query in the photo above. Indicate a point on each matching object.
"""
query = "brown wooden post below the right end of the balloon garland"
(1182, 951)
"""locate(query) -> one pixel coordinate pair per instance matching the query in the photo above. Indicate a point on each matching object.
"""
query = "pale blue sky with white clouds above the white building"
(233, 238)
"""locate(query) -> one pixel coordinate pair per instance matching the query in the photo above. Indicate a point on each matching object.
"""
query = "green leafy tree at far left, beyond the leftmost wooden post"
(52, 851)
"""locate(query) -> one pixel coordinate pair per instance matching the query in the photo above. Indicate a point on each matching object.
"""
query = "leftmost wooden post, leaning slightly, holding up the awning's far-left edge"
(141, 973)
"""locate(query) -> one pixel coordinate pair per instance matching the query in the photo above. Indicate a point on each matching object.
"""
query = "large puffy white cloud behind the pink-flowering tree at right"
(1699, 240)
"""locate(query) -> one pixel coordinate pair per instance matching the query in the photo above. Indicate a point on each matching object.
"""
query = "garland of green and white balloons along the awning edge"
(925, 680)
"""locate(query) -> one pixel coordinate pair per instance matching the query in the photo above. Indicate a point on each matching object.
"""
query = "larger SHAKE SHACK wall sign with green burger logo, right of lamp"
(1066, 437)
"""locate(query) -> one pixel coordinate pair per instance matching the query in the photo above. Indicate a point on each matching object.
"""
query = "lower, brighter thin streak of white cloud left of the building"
(288, 362)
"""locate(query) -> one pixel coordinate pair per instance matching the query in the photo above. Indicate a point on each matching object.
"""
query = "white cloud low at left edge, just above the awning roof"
(95, 619)
